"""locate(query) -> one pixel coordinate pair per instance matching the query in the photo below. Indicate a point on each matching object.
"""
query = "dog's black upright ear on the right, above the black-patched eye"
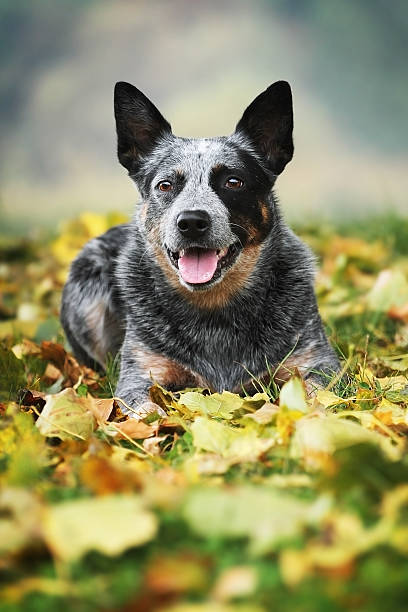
(268, 122)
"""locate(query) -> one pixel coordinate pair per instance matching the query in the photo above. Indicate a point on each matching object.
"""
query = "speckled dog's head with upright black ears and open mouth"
(206, 202)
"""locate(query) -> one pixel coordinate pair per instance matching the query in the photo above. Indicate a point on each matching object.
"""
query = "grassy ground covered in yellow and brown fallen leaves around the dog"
(227, 504)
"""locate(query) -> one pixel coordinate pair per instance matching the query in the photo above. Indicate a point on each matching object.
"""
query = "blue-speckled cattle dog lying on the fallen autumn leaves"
(207, 286)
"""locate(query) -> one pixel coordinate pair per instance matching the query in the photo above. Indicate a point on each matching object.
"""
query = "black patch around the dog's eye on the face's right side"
(250, 213)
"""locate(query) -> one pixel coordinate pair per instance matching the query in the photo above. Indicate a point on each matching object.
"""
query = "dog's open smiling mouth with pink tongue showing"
(199, 266)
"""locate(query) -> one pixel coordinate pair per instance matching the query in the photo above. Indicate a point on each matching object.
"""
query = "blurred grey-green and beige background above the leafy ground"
(202, 63)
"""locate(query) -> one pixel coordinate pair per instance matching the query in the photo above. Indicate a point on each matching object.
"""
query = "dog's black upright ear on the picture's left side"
(139, 125)
